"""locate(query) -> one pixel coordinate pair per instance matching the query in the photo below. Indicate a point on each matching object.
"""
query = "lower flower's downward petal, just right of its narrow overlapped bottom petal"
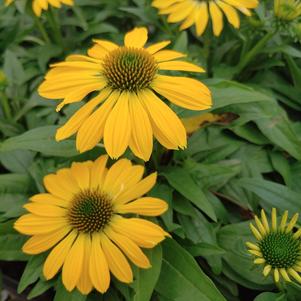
(98, 267)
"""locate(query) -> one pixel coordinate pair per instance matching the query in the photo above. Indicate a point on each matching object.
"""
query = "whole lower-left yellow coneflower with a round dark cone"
(80, 219)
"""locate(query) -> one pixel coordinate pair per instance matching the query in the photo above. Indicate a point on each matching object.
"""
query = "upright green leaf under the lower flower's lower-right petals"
(145, 280)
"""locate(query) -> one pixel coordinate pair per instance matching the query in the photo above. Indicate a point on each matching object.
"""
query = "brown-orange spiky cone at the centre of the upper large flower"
(129, 69)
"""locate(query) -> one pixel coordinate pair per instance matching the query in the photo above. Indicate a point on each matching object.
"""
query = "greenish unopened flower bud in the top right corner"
(287, 10)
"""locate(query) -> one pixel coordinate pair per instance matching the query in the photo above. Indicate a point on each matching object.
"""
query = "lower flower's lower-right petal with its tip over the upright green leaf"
(130, 249)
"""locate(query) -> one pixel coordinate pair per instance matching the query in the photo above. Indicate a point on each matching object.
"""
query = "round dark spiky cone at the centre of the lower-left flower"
(90, 211)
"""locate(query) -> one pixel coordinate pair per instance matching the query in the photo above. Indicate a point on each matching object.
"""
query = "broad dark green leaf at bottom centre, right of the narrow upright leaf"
(182, 279)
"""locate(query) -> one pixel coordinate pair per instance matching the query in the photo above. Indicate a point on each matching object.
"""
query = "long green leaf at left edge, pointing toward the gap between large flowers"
(40, 140)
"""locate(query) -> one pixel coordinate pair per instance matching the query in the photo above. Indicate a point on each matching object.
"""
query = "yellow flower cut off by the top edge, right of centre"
(198, 12)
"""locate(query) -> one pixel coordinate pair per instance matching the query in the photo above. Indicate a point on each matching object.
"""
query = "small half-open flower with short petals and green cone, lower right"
(278, 247)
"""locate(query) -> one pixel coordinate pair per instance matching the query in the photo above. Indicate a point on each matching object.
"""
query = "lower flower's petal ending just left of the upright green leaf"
(118, 264)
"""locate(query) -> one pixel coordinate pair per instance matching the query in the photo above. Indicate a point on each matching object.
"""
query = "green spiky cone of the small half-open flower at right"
(280, 250)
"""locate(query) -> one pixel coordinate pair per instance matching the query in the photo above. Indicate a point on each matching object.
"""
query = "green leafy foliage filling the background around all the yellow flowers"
(249, 159)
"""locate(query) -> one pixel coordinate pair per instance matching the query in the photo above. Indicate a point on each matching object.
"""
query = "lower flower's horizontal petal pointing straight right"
(145, 206)
